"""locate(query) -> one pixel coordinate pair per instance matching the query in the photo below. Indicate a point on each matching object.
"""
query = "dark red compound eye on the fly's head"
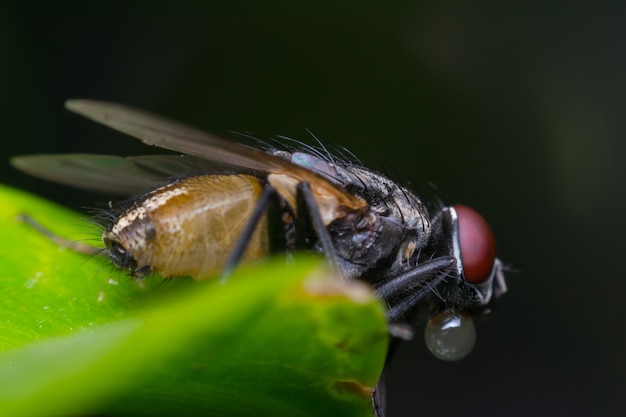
(478, 250)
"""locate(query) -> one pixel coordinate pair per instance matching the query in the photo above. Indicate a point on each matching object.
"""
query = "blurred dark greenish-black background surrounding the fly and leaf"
(516, 110)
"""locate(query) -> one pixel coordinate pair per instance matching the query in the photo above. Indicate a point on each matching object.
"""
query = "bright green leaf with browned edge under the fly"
(80, 338)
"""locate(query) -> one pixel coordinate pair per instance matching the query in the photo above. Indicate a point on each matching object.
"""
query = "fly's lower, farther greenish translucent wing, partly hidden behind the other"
(107, 173)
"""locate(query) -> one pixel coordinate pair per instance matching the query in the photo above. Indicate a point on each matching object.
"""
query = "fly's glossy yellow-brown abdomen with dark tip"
(189, 227)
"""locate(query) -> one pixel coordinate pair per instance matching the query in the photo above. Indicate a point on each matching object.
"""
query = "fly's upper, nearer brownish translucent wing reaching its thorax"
(158, 131)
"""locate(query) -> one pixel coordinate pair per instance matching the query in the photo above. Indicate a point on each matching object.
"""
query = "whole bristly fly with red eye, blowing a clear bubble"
(237, 202)
